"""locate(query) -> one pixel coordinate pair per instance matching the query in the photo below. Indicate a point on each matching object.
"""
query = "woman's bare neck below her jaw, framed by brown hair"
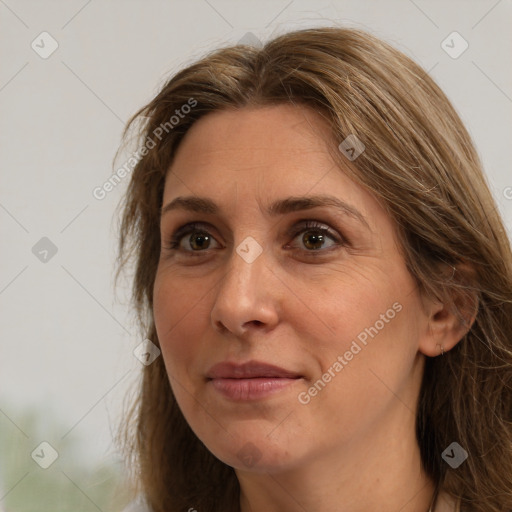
(380, 470)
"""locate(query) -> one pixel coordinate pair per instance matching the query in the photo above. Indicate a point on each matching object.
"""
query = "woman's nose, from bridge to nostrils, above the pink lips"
(247, 297)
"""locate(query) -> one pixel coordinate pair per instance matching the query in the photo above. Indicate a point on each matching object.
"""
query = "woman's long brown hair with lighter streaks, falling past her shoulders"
(421, 164)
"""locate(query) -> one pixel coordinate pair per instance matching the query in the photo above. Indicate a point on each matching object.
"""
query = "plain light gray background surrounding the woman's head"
(67, 340)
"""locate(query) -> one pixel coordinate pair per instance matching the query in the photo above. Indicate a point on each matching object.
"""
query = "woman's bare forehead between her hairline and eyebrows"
(254, 156)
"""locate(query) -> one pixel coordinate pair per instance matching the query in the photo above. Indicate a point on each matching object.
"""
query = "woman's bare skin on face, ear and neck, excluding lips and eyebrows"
(353, 446)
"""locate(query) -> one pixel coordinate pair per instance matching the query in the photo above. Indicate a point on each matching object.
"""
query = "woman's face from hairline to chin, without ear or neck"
(285, 262)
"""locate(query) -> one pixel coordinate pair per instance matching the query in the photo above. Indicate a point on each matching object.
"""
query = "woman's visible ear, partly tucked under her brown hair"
(450, 320)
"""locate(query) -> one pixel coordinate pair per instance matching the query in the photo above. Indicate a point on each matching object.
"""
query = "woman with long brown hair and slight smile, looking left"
(321, 263)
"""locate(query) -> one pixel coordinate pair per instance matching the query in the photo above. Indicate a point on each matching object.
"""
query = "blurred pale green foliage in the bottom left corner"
(69, 484)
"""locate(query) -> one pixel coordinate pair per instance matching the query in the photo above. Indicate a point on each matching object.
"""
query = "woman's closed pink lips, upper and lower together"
(249, 381)
